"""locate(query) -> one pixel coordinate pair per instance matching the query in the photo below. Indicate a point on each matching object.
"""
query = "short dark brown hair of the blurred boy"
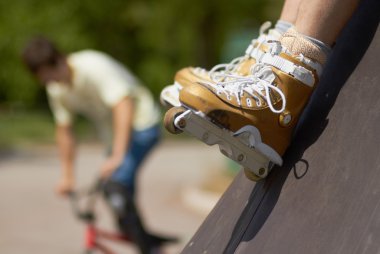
(39, 52)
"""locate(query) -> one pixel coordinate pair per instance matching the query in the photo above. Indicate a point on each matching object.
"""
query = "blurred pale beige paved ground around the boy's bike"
(171, 196)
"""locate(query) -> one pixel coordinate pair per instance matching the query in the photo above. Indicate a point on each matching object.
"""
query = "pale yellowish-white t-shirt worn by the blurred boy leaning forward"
(99, 82)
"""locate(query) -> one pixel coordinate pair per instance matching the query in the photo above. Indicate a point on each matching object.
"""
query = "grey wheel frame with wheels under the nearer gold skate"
(244, 146)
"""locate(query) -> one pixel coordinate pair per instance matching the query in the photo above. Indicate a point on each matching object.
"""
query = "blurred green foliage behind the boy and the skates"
(154, 38)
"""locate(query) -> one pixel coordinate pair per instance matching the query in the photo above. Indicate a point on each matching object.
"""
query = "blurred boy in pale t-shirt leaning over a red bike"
(100, 88)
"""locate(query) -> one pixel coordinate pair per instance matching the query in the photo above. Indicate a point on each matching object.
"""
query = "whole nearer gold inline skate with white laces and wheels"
(252, 117)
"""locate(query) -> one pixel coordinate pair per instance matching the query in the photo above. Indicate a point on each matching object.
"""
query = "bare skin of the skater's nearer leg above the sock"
(324, 19)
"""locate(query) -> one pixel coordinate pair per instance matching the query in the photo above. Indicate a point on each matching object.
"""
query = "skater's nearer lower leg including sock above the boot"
(317, 26)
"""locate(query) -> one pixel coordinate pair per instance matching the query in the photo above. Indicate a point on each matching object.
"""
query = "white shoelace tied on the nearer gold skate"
(258, 84)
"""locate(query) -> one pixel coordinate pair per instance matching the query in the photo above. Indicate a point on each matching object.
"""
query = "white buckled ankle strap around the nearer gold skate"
(300, 73)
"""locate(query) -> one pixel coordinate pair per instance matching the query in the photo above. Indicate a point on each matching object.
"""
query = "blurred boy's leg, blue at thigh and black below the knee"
(119, 191)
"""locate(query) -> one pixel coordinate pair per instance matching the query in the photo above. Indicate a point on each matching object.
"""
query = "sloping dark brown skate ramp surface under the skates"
(326, 196)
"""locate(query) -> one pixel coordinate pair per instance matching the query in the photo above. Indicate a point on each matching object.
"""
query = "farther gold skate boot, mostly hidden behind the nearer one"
(169, 96)
